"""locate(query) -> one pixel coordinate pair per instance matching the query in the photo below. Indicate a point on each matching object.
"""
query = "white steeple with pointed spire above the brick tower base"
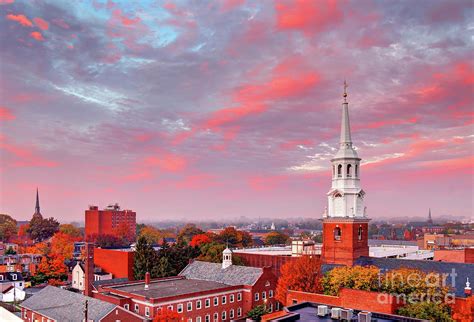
(345, 199)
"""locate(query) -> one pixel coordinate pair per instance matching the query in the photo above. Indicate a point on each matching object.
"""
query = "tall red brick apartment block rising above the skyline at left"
(106, 221)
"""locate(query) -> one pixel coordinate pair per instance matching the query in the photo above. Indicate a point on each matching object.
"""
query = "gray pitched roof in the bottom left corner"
(61, 305)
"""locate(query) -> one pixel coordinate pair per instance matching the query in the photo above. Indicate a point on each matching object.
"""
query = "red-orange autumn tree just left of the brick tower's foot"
(302, 274)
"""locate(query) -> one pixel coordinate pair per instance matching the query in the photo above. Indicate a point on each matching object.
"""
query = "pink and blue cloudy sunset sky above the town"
(219, 109)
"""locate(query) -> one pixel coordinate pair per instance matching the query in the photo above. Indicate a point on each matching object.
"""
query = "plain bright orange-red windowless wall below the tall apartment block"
(119, 263)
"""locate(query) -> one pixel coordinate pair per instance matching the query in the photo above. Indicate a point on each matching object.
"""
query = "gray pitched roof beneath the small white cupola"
(232, 275)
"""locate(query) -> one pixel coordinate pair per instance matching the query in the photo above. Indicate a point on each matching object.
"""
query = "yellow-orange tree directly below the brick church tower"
(356, 277)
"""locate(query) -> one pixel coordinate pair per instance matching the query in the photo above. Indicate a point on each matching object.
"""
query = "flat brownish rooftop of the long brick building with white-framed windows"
(163, 288)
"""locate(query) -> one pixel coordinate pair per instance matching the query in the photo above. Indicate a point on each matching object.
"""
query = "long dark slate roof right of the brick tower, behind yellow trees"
(461, 270)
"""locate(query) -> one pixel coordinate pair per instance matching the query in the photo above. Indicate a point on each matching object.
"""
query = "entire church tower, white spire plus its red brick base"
(345, 223)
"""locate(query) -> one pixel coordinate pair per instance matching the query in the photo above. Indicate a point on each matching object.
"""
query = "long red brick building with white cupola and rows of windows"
(202, 292)
